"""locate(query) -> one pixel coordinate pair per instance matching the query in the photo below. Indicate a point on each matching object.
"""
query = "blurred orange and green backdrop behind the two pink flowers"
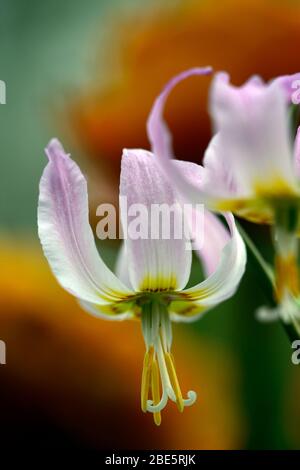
(87, 72)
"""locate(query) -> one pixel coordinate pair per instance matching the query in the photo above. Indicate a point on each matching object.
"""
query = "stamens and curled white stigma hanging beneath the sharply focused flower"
(159, 378)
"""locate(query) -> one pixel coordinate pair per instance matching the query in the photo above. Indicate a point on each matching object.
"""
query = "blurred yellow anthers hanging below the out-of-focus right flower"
(286, 270)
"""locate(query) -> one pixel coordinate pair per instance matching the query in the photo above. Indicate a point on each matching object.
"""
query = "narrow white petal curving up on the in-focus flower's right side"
(221, 284)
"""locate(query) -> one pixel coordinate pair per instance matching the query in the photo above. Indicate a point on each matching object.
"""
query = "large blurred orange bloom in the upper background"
(242, 37)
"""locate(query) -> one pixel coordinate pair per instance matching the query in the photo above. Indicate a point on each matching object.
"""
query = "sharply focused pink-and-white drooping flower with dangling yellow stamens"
(151, 273)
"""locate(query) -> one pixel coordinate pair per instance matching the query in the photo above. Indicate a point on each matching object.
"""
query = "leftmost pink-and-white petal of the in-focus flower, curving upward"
(66, 235)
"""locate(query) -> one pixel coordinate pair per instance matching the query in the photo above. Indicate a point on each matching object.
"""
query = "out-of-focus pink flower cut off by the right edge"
(251, 166)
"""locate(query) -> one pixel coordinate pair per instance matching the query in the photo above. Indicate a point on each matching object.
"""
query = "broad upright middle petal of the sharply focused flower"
(159, 255)
